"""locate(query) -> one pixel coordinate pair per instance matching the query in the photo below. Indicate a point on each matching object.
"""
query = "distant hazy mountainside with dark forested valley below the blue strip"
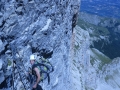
(104, 32)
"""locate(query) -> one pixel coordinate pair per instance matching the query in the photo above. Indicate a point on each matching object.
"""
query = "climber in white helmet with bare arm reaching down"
(36, 72)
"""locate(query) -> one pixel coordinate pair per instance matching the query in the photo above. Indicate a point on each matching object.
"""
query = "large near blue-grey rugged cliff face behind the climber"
(42, 27)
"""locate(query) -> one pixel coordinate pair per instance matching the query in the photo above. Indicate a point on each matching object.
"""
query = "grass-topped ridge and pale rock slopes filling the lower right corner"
(106, 71)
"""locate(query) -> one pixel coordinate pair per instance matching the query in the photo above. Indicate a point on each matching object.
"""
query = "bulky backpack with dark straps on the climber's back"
(44, 67)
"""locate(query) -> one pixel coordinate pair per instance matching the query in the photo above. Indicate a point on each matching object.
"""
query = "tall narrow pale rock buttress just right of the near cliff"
(81, 67)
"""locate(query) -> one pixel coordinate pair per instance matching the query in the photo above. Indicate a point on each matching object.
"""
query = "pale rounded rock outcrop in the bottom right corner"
(110, 75)
